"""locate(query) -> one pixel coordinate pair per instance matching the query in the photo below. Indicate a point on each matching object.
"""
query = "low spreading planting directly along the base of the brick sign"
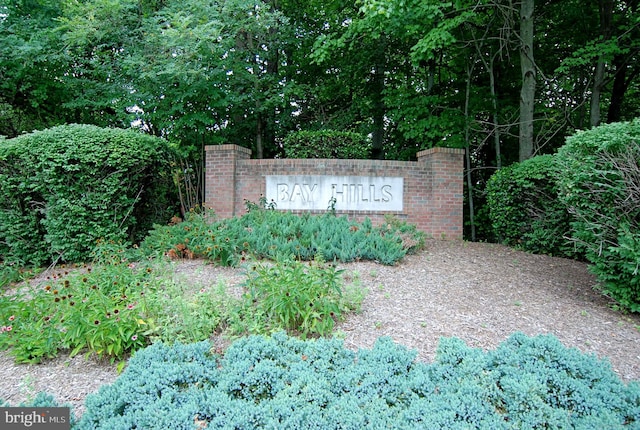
(269, 234)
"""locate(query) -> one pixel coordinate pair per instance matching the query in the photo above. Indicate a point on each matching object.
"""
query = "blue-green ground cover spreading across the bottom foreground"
(284, 382)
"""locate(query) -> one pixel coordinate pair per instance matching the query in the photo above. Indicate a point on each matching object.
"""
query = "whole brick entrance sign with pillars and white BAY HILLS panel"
(426, 192)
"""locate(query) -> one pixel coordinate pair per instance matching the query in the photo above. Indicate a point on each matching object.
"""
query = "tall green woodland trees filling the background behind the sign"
(507, 80)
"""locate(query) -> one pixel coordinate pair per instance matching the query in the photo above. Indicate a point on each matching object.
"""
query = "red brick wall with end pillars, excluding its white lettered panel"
(432, 184)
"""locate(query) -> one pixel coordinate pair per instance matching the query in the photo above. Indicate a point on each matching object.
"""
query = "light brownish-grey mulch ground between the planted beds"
(481, 293)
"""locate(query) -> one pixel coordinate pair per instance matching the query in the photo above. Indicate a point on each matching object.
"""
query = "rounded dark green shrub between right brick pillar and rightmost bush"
(525, 210)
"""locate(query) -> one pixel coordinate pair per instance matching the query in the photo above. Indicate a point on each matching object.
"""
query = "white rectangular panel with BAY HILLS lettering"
(351, 193)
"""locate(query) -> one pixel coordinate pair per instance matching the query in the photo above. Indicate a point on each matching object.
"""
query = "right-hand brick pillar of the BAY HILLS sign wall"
(446, 201)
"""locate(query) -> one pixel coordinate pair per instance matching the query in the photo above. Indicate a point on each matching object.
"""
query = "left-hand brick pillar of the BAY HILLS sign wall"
(220, 177)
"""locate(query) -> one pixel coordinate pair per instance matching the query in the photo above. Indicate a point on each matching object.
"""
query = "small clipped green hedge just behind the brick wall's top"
(326, 144)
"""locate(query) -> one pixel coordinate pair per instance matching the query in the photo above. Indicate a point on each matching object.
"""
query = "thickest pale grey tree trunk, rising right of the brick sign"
(528, 90)
